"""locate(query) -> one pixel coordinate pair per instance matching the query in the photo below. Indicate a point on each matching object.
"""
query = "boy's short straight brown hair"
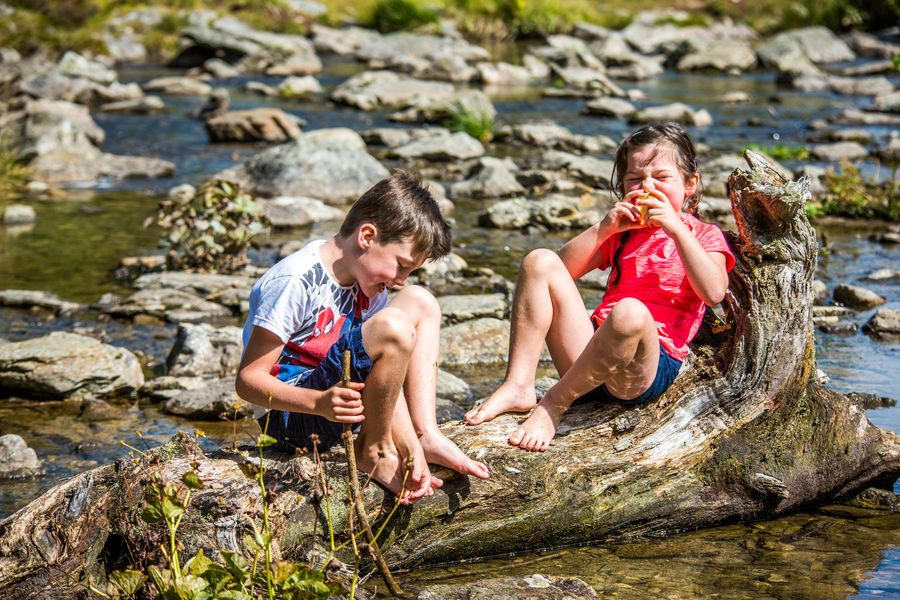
(403, 210)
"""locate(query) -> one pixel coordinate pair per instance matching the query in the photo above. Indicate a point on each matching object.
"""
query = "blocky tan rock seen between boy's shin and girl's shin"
(482, 341)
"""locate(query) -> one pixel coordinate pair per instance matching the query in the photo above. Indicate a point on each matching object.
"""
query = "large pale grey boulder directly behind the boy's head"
(335, 174)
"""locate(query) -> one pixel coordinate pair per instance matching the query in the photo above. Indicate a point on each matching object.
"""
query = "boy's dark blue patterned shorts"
(292, 430)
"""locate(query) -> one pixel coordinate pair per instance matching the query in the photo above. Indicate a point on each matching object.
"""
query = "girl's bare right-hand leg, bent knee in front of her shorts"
(623, 353)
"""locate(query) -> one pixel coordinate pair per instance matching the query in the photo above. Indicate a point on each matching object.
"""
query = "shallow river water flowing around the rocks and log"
(78, 240)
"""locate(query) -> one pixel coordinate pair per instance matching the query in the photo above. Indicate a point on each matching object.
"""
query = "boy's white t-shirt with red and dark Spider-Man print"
(300, 302)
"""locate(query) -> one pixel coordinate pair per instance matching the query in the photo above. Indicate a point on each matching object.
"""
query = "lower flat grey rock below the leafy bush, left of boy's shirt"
(168, 304)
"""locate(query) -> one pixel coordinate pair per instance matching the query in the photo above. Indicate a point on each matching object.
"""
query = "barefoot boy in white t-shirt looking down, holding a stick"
(331, 296)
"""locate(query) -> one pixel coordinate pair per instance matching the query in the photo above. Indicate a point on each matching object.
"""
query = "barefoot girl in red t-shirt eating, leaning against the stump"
(666, 264)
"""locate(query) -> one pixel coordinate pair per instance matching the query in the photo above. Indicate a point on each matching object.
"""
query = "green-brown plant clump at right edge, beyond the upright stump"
(850, 195)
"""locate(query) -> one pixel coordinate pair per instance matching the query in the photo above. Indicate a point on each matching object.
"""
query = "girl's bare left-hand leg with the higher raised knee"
(547, 307)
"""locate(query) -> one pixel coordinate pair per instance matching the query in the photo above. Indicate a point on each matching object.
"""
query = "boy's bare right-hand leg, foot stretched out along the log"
(421, 384)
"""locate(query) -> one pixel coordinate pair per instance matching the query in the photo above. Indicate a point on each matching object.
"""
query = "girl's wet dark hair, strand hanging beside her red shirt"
(665, 136)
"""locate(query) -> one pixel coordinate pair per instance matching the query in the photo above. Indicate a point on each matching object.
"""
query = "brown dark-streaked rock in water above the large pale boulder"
(256, 125)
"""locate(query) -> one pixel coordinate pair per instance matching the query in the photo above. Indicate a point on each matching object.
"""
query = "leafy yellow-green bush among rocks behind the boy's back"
(211, 231)
